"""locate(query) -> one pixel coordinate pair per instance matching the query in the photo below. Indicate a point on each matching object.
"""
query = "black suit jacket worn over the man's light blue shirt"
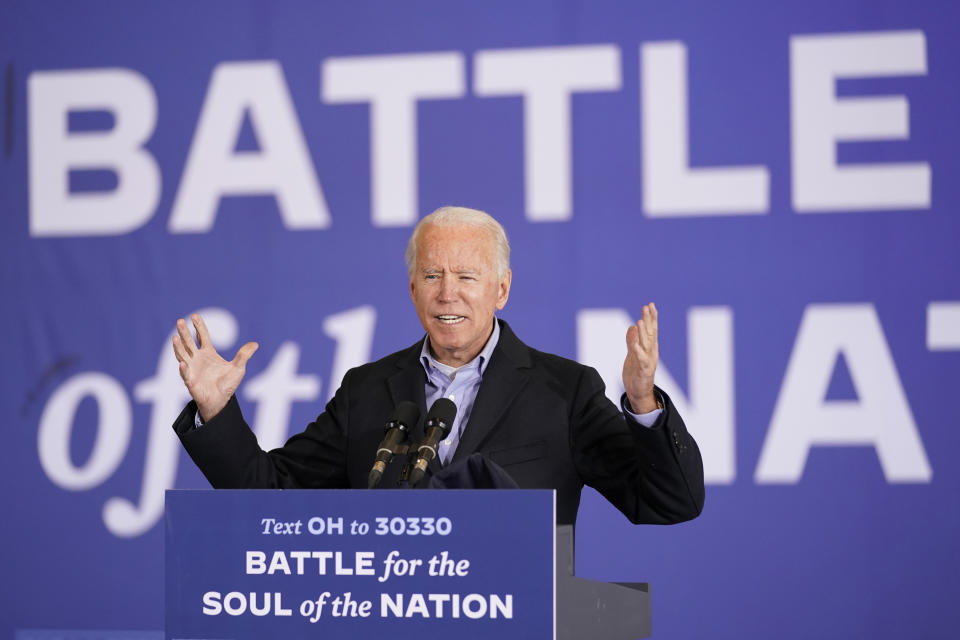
(543, 418)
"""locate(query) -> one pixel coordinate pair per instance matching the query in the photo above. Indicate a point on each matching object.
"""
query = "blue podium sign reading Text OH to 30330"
(341, 563)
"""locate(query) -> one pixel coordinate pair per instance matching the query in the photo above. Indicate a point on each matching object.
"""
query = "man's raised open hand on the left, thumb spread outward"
(210, 379)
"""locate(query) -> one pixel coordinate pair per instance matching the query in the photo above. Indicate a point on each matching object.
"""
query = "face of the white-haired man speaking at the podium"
(456, 290)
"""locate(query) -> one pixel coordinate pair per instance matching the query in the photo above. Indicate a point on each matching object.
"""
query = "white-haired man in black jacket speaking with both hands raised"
(543, 419)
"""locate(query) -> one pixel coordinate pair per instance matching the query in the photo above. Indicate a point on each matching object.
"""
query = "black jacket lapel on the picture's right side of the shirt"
(503, 379)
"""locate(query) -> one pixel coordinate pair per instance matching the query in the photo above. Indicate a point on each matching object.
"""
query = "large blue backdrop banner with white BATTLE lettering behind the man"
(778, 177)
